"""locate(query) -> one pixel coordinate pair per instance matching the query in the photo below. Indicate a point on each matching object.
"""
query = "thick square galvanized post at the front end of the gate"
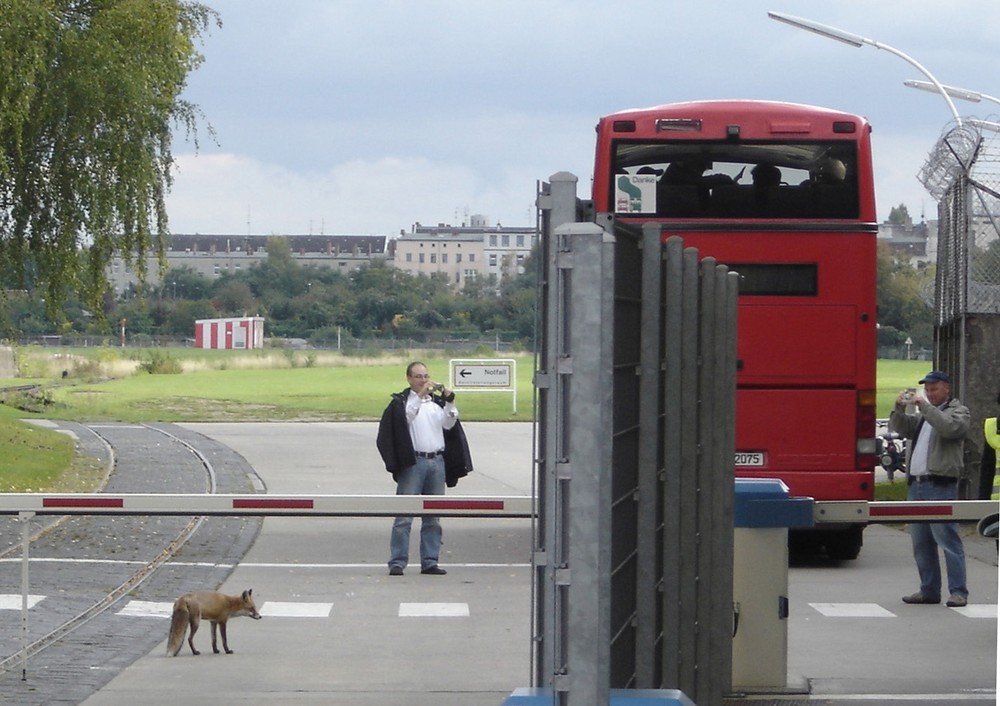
(585, 481)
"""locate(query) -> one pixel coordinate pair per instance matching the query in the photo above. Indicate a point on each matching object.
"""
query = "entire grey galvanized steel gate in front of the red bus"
(636, 386)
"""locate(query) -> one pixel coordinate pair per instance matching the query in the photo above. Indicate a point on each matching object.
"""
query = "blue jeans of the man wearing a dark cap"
(928, 536)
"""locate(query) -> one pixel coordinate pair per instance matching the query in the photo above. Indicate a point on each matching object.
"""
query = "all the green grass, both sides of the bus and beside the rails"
(109, 384)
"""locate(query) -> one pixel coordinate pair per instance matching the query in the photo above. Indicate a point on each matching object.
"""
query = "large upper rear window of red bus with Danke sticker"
(688, 179)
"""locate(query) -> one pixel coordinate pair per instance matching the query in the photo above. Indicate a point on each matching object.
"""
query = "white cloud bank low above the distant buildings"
(379, 196)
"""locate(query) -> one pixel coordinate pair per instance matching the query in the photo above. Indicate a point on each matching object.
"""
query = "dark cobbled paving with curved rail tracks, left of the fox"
(76, 562)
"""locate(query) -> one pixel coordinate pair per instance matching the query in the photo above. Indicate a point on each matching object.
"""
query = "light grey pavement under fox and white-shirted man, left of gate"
(461, 639)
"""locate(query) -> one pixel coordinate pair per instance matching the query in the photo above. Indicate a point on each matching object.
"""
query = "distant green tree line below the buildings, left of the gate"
(315, 303)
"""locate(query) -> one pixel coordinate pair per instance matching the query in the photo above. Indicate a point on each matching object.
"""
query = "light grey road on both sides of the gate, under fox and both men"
(337, 629)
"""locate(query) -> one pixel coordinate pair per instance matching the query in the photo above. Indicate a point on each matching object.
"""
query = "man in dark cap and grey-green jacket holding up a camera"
(934, 461)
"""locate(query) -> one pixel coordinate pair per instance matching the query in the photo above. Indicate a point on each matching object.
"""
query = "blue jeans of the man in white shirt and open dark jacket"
(425, 477)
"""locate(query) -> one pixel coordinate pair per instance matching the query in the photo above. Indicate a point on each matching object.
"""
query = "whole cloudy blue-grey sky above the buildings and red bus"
(366, 116)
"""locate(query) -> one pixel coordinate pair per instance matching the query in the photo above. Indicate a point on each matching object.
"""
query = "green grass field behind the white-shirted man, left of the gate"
(249, 386)
